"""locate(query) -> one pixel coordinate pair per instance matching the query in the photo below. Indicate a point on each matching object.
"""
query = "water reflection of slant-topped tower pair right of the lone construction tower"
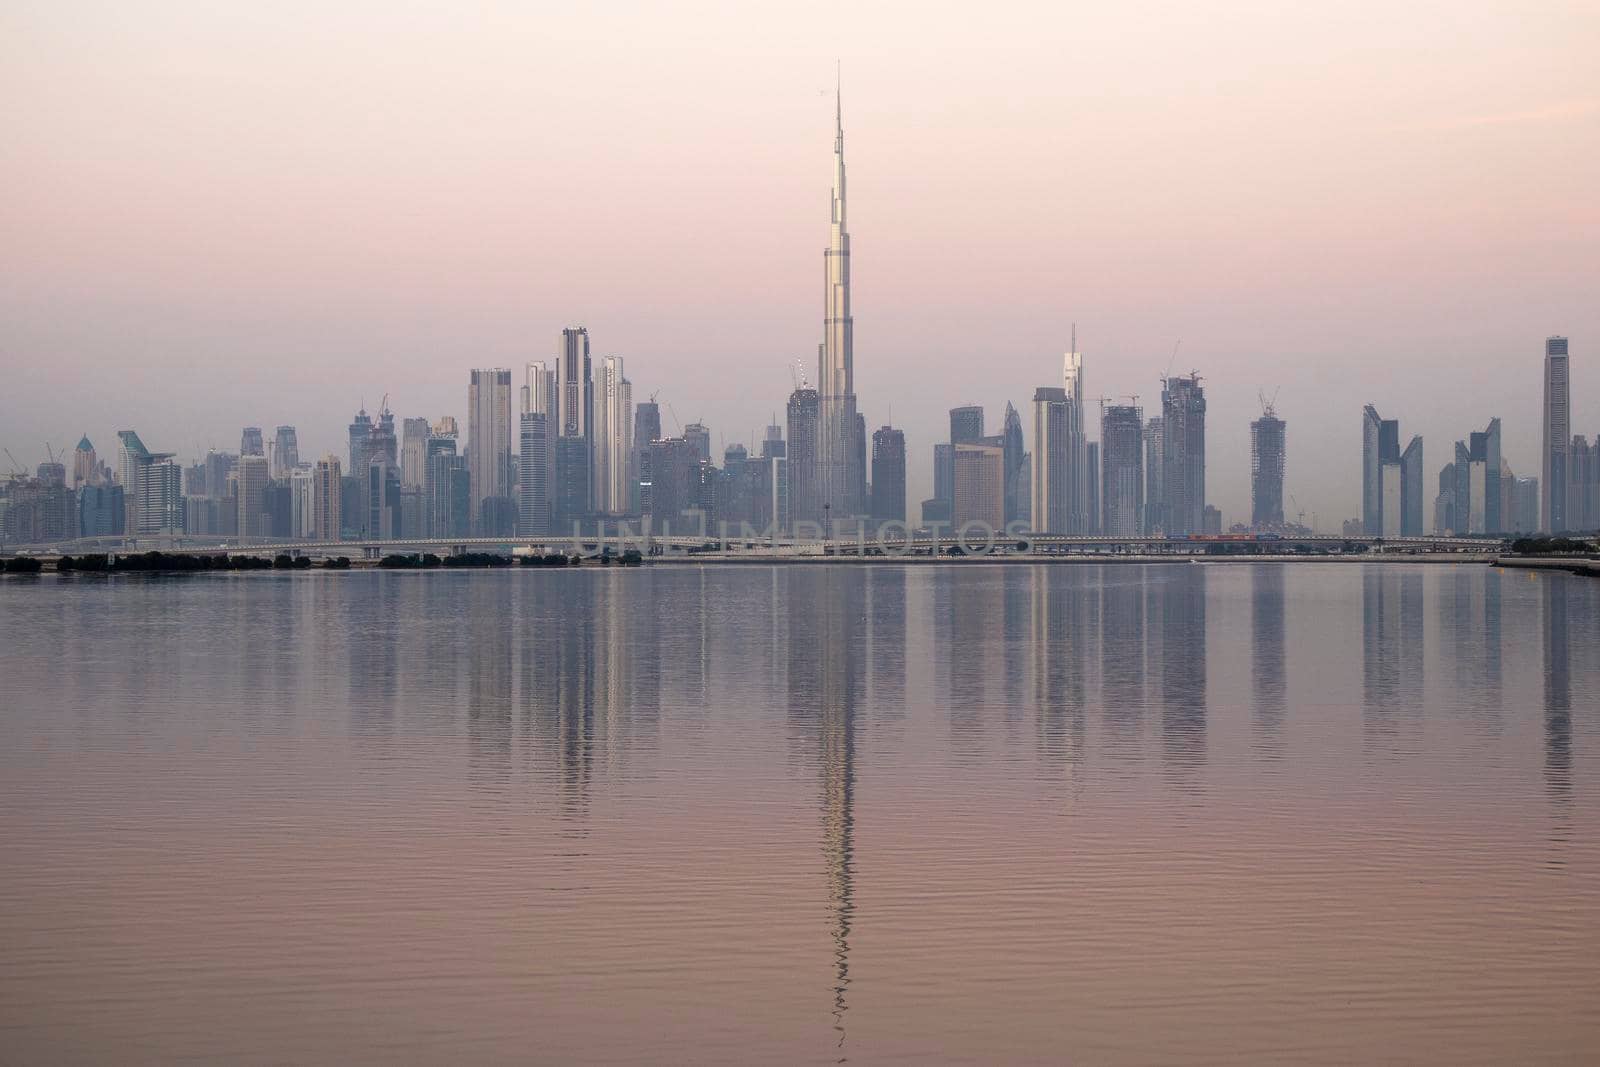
(1393, 657)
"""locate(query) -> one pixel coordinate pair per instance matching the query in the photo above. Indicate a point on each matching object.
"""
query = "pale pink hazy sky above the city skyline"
(217, 215)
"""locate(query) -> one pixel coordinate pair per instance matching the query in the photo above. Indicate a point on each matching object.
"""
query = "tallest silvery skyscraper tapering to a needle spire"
(841, 460)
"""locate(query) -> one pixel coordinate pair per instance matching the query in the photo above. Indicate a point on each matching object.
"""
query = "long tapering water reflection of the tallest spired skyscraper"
(828, 671)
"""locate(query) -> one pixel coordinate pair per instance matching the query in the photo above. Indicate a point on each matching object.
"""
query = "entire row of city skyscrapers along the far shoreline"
(569, 449)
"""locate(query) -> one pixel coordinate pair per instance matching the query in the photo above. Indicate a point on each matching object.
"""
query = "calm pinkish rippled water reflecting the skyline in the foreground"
(1306, 813)
